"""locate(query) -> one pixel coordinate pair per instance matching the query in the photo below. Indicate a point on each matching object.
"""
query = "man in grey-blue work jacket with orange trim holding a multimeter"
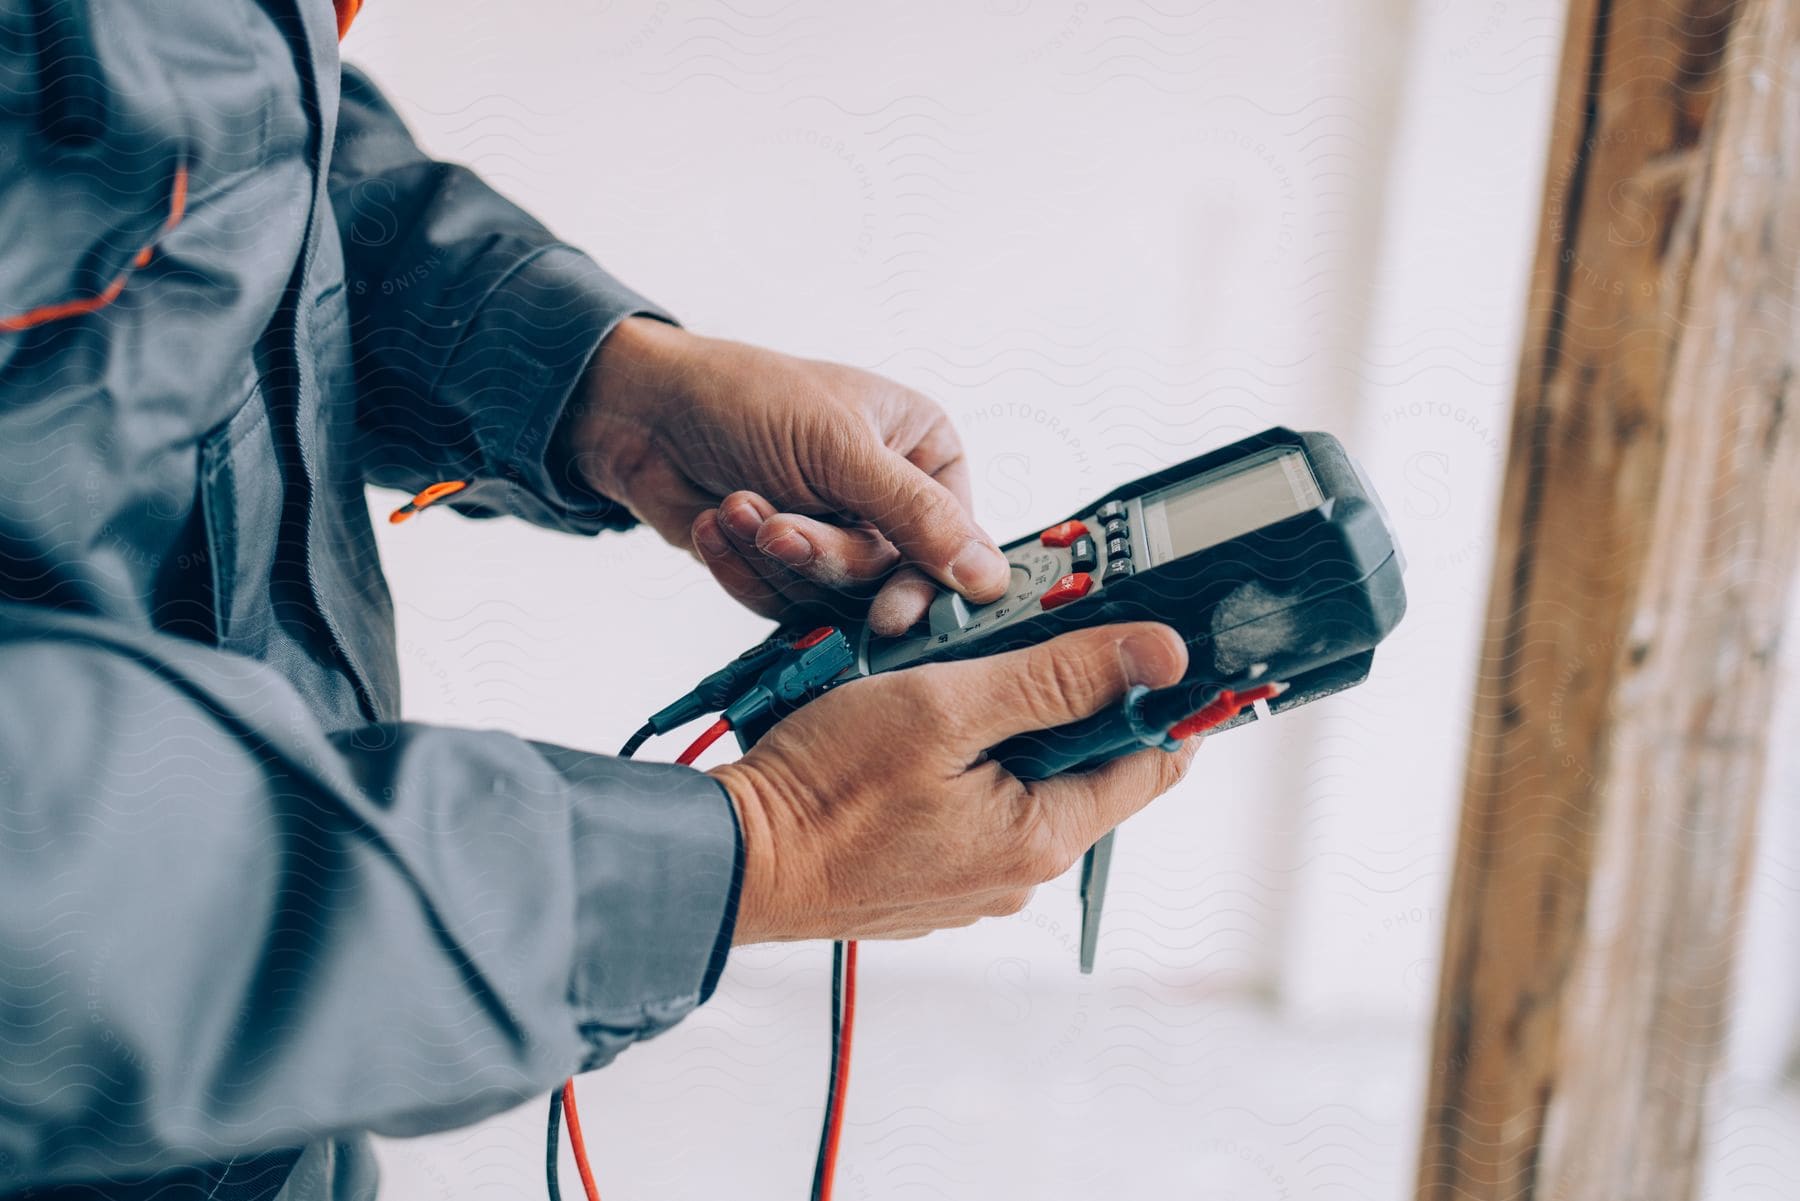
(247, 914)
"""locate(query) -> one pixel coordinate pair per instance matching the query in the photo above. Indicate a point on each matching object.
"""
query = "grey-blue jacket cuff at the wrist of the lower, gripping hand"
(658, 867)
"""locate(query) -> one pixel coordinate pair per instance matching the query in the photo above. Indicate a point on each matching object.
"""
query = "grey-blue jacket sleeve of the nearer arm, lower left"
(222, 930)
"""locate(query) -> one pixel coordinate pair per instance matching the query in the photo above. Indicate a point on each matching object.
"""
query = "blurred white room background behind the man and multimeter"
(1106, 237)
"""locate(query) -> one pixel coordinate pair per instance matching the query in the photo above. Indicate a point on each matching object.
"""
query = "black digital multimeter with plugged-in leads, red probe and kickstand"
(1272, 557)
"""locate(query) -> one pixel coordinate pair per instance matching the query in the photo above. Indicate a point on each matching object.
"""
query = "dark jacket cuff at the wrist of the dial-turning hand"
(535, 336)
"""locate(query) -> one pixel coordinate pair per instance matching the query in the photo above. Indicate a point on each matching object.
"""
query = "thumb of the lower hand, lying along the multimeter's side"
(1061, 682)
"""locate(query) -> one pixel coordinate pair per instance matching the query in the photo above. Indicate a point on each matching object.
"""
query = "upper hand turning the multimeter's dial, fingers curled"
(800, 485)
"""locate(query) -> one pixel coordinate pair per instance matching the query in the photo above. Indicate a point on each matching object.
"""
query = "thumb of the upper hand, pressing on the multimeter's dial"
(919, 516)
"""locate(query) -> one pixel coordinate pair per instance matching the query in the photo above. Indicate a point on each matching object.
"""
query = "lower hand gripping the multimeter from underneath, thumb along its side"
(874, 813)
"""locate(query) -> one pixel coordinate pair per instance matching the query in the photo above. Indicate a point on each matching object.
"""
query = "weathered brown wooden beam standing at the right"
(1648, 537)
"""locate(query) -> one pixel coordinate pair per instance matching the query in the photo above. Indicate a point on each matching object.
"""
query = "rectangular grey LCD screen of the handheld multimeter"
(1228, 503)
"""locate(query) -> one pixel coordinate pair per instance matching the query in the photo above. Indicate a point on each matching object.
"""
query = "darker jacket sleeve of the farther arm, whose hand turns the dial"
(471, 325)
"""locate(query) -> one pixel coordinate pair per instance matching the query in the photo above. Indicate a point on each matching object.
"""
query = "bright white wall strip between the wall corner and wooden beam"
(1434, 390)
